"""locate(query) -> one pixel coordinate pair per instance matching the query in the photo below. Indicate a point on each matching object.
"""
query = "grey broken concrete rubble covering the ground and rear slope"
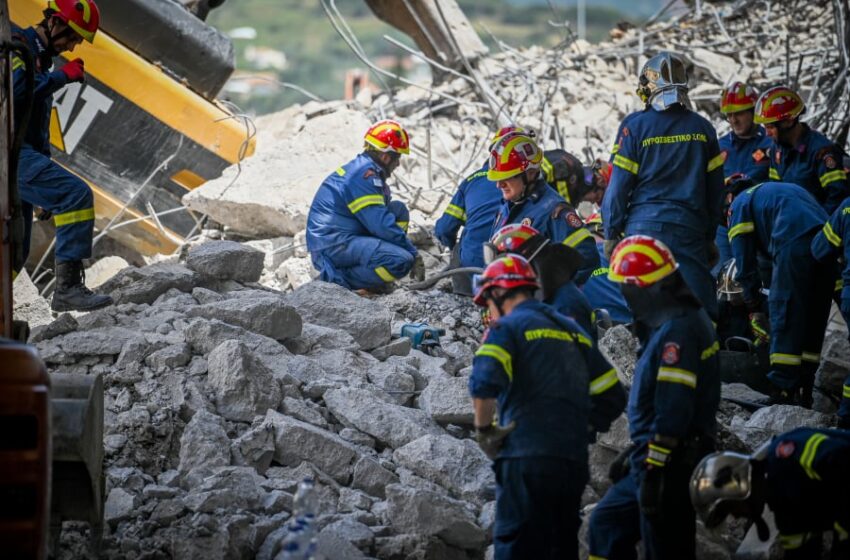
(231, 374)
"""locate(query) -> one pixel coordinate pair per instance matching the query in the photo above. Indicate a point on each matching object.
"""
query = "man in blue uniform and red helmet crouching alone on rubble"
(356, 234)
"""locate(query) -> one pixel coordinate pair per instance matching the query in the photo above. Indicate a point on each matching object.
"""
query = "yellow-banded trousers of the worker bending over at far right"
(799, 302)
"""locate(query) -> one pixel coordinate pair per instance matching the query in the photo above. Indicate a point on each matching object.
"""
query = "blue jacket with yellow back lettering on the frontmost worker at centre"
(534, 360)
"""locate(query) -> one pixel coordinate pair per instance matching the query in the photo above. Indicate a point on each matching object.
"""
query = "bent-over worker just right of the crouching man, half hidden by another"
(473, 207)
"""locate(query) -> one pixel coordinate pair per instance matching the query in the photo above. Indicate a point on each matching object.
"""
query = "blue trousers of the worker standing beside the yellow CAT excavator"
(45, 184)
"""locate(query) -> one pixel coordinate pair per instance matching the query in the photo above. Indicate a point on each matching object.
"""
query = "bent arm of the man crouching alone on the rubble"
(365, 200)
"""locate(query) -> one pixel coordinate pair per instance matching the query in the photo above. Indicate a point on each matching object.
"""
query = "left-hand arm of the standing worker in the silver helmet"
(624, 178)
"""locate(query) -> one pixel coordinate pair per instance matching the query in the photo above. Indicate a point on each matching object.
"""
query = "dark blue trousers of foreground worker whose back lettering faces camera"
(537, 507)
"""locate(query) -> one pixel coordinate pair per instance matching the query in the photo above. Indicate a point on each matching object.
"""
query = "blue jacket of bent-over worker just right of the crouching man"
(473, 206)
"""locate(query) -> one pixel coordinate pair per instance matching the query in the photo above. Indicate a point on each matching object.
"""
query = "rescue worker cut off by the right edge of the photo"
(831, 242)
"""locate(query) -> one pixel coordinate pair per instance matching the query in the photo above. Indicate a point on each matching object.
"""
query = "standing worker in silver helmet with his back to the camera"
(667, 180)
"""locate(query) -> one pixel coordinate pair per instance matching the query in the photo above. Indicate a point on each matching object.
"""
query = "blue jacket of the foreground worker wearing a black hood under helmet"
(676, 387)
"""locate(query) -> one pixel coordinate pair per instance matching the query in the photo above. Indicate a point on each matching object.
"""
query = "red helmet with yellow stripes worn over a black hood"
(642, 261)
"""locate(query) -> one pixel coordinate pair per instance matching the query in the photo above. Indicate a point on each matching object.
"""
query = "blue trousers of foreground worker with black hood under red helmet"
(617, 525)
